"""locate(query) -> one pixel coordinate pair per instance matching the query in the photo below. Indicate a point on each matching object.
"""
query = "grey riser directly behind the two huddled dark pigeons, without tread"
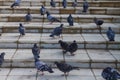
(82, 45)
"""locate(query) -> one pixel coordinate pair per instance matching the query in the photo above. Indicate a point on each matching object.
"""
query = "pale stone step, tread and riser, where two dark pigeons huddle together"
(84, 58)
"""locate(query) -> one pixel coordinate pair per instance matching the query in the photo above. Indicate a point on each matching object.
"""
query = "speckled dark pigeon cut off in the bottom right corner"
(110, 73)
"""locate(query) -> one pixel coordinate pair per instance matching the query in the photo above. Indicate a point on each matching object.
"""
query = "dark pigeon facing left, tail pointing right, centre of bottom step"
(66, 68)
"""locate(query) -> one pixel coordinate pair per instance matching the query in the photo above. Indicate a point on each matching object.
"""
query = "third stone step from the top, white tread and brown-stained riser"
(63, 17)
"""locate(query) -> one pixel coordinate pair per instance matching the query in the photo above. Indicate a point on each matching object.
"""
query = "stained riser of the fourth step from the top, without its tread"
(66, 31)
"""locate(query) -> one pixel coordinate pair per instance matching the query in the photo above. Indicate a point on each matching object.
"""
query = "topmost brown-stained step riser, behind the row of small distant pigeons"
(58, 3)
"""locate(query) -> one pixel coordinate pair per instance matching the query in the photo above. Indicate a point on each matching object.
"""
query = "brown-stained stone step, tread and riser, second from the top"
(60, 10)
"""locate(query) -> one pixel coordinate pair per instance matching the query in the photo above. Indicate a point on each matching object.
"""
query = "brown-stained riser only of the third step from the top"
(62, 19)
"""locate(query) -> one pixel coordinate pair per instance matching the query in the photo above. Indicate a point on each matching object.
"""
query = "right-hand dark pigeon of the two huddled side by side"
(72, 48)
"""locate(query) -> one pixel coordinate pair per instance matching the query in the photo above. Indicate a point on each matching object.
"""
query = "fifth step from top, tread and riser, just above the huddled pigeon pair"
(85, 41)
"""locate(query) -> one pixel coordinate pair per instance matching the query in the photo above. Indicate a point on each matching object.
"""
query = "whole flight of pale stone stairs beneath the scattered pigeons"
(95, 51)
